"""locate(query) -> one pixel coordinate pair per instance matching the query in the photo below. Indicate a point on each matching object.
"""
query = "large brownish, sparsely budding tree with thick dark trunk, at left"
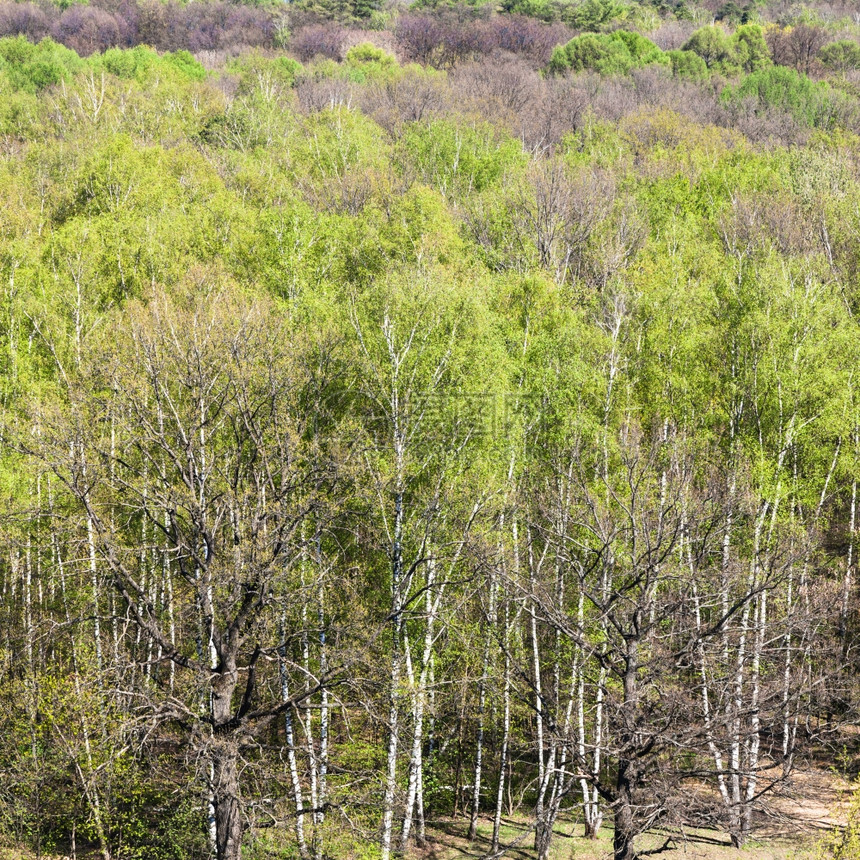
(189, 433)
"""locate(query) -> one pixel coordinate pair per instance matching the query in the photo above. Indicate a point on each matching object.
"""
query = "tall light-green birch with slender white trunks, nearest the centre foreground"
(415, 346)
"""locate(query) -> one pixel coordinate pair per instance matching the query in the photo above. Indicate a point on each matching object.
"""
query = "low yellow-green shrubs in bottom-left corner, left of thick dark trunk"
(75, 738)
